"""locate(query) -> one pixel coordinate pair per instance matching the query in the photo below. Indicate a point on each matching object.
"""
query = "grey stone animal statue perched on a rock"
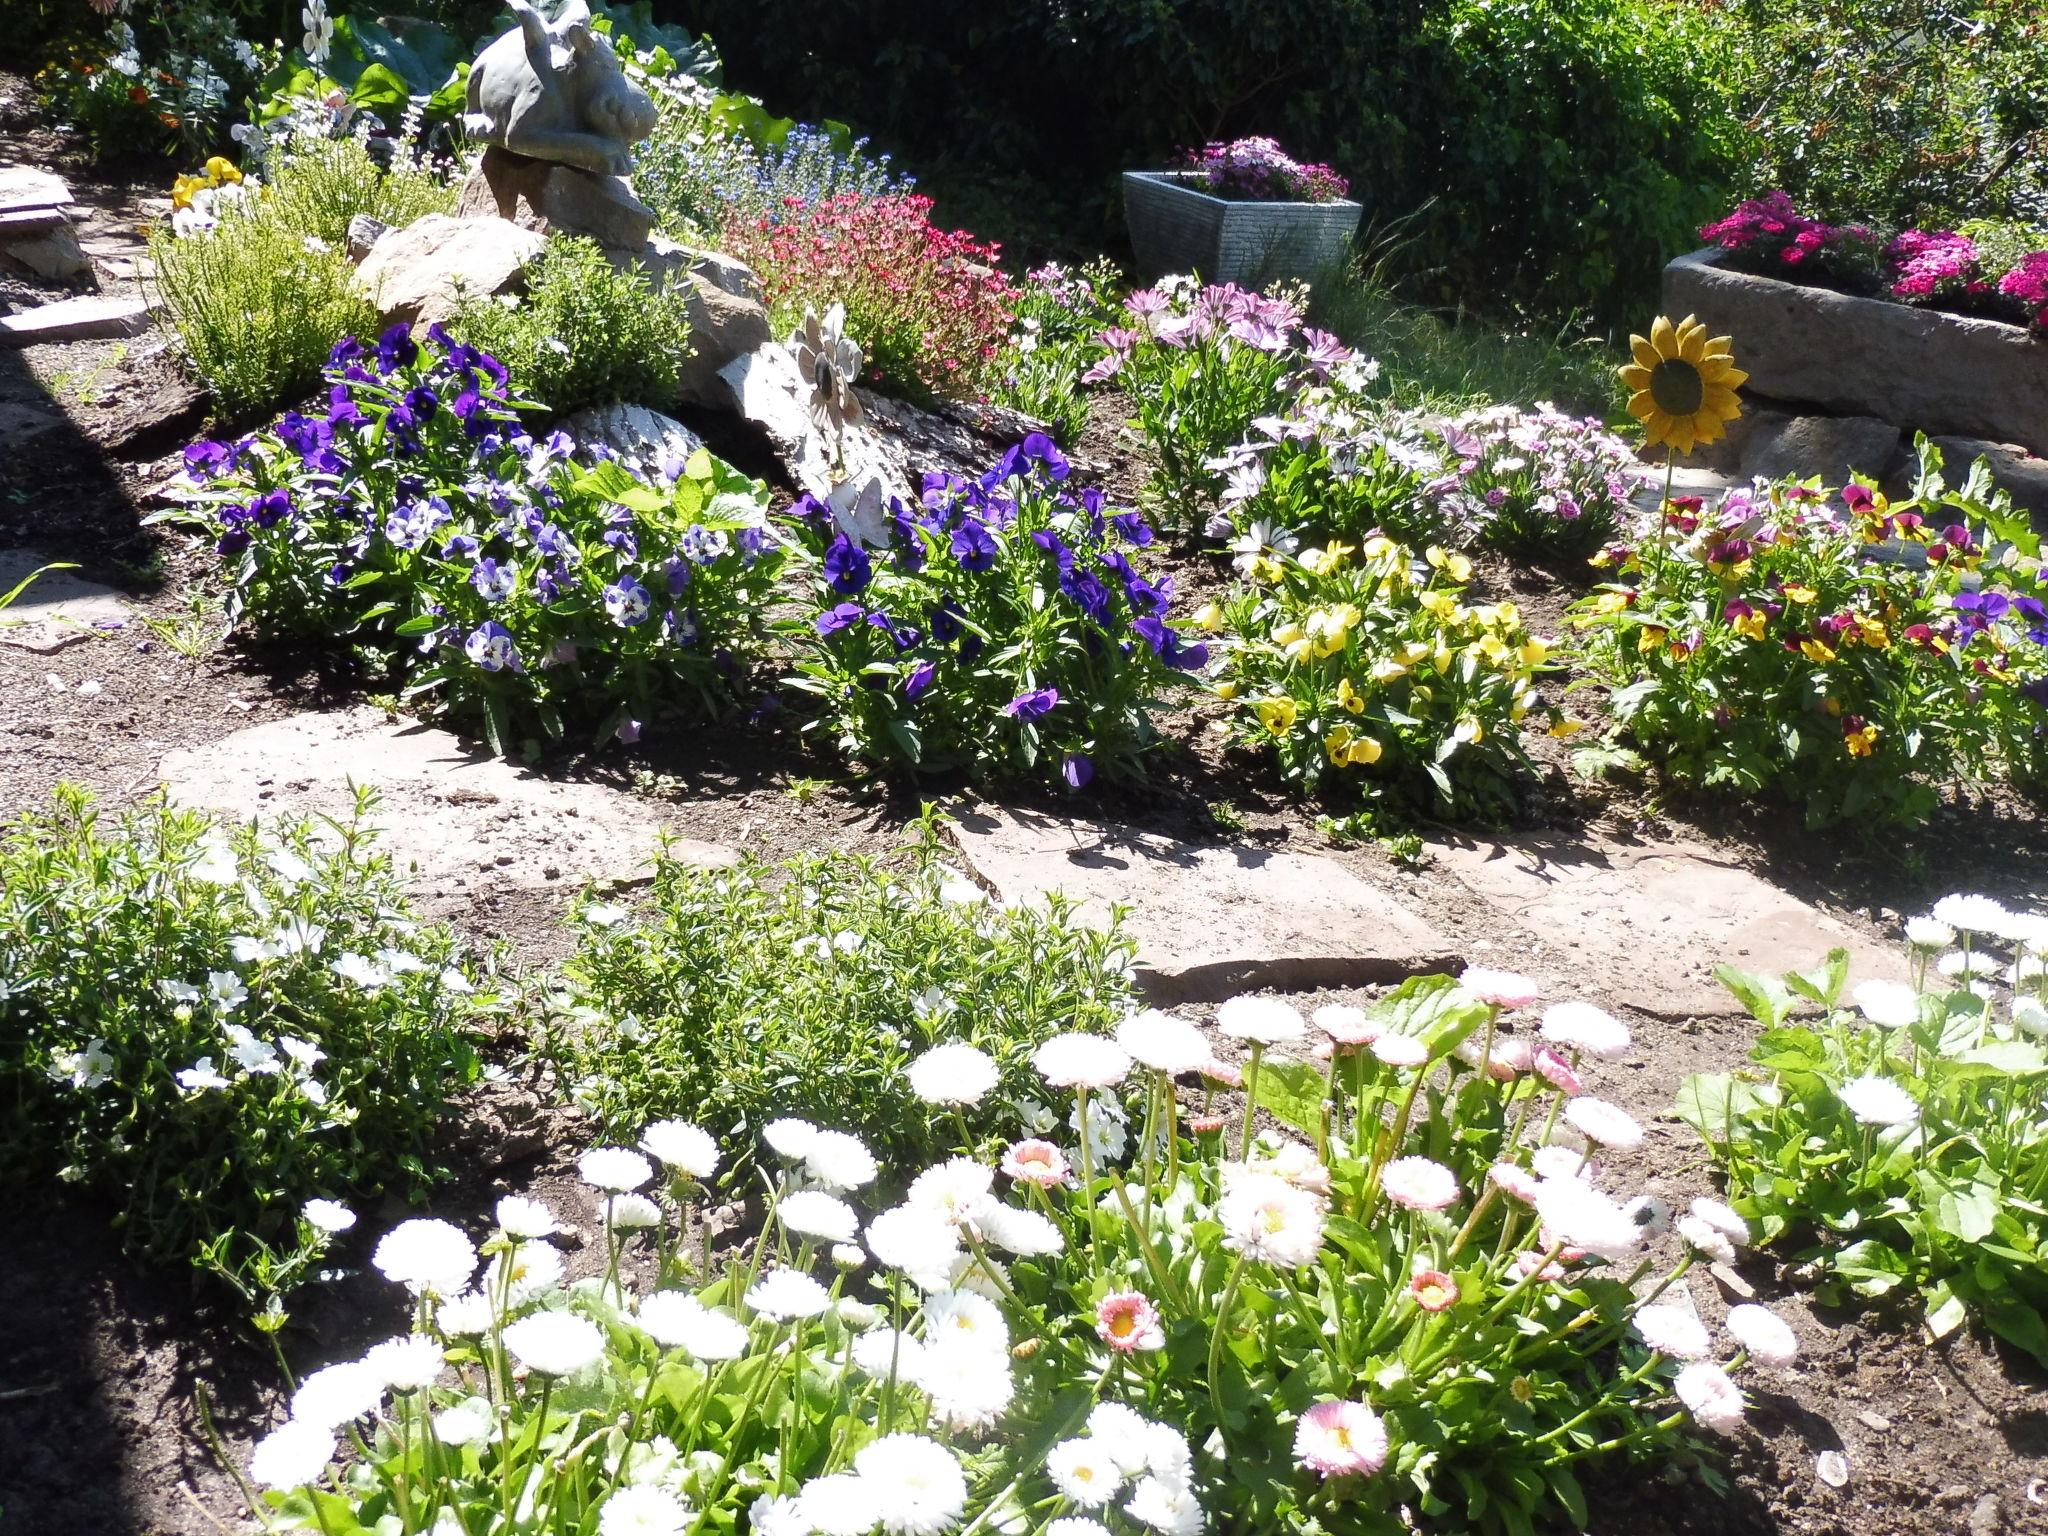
(554, 91)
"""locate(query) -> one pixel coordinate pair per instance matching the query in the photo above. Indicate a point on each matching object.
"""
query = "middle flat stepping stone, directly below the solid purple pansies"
(1209, 921)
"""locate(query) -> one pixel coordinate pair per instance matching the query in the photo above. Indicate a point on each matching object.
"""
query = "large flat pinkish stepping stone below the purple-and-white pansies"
(460, 822)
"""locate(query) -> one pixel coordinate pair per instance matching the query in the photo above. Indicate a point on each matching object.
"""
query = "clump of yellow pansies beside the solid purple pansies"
(1367, 658)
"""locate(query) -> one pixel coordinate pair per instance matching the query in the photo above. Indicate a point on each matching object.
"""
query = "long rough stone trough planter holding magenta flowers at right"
(1918, 370)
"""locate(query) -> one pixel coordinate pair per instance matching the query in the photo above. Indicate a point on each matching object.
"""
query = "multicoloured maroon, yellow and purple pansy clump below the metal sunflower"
(1848, 650)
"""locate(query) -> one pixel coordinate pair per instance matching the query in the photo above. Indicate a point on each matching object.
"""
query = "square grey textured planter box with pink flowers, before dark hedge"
(1181, 228)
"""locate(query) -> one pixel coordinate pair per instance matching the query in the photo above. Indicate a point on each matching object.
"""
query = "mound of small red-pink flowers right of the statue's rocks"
(927, 306)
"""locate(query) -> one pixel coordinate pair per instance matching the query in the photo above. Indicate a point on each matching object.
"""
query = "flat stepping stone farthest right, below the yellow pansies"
(1660, 914)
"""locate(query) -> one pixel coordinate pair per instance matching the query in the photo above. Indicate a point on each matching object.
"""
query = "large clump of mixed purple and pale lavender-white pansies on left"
(527, 583)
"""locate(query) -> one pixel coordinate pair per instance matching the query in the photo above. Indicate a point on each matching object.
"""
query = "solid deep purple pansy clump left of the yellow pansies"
(998, 626)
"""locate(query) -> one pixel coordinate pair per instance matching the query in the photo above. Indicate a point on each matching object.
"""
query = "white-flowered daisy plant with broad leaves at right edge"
(1897, 1144)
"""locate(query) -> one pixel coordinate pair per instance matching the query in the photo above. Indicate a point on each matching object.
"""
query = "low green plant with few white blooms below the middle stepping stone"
(806, 988)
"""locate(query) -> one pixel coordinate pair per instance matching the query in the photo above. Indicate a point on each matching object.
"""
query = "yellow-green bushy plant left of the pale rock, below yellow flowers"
(263, 298)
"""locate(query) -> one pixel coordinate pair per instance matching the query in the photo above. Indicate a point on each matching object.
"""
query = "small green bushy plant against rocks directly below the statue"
(587, 333)
